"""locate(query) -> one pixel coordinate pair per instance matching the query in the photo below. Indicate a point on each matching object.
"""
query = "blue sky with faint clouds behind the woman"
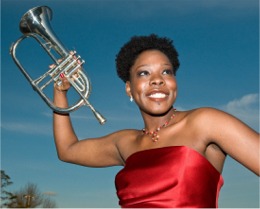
(218, 43)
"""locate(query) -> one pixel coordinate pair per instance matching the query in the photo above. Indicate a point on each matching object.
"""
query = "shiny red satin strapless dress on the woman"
(168, 177)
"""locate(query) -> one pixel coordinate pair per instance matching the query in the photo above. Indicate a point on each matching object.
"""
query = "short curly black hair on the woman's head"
(130, 51)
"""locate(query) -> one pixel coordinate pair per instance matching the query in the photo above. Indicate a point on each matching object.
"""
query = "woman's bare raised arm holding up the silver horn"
(98, 152)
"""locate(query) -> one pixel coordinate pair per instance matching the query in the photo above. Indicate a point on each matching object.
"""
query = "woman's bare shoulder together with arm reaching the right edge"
(230, 134)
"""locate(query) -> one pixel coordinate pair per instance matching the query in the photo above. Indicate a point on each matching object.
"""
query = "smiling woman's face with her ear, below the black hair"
(152, 82)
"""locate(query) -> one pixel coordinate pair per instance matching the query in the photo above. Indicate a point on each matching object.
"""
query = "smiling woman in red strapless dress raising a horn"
(177, 159)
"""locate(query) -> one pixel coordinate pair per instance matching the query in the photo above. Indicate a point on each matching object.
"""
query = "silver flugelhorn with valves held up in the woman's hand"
(36, 24)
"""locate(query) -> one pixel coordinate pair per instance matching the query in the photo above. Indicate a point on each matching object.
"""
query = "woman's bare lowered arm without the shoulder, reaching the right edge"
(233, 136)
